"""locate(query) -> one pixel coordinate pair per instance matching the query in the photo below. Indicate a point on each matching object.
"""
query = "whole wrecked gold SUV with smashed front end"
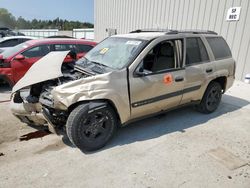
(124, 78)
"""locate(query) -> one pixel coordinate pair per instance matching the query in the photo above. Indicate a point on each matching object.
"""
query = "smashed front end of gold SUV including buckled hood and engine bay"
(32, 100)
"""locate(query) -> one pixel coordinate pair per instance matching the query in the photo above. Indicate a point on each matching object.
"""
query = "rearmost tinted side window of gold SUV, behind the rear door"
(219, 47)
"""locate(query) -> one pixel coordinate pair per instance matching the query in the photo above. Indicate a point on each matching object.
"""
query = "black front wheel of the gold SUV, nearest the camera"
(90, 129)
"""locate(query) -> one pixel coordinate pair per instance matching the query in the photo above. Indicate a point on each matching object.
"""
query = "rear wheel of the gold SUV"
(211, 98)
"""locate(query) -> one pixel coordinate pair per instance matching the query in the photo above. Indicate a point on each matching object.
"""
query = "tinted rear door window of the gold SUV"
(196, 51)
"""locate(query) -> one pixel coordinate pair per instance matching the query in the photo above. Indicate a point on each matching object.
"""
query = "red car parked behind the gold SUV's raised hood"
(16, 61)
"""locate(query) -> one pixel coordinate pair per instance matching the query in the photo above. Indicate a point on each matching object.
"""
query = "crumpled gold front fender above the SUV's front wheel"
(111, 86)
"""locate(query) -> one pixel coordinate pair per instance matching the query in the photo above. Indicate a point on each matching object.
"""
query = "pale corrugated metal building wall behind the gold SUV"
(123, 16)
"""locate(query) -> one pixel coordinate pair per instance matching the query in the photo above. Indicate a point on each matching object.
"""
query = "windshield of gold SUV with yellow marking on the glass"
(115, 52)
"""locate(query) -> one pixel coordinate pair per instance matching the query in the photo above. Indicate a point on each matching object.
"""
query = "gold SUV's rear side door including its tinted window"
(198, 69)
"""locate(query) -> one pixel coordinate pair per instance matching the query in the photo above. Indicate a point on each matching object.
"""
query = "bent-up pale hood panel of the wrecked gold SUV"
(46, 68)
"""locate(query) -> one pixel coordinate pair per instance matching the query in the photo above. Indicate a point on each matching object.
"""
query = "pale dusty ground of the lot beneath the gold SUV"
(180, 149)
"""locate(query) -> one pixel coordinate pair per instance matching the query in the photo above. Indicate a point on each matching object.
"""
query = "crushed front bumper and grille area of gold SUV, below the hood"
(34, 106)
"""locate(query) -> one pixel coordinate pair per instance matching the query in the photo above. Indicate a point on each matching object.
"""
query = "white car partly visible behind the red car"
(8, 42)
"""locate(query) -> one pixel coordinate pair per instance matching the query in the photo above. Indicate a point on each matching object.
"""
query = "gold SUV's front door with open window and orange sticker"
(158, 81)
